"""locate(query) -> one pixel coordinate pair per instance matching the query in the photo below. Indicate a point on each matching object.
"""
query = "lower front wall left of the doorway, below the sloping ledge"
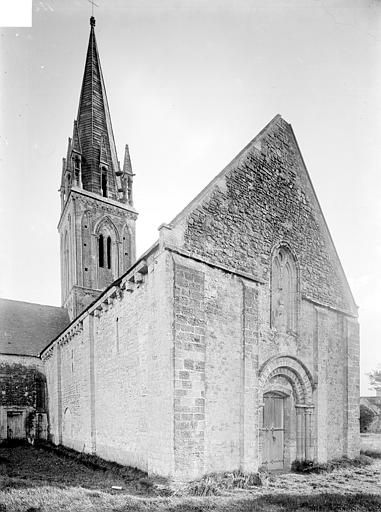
(216, 370)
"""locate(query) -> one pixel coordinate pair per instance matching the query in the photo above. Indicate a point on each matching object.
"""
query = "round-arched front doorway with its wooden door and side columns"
(285, 413)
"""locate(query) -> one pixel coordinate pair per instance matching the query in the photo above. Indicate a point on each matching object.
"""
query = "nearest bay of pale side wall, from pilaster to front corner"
(133, 385)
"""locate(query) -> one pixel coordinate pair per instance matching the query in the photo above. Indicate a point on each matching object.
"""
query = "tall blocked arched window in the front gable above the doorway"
(284, 287)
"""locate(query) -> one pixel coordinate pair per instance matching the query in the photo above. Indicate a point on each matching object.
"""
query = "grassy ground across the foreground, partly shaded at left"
(39, 480)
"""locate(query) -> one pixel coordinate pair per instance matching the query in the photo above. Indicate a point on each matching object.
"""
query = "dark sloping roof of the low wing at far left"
(27, 328)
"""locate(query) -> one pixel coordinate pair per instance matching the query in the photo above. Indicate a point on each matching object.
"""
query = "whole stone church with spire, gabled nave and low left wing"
(231, 343)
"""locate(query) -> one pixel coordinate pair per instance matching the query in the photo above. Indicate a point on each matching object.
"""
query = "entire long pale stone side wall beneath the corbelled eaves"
(110, 375)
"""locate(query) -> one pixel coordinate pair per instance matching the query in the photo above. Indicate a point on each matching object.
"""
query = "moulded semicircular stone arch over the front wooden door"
(294, 371)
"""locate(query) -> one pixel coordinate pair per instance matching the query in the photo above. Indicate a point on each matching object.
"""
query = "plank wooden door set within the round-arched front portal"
(273, 432)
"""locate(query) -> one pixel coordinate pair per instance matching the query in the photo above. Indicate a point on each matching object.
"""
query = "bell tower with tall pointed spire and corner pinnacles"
(97, 223)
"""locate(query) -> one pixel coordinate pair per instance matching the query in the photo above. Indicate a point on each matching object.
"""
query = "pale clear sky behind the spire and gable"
(189, 84)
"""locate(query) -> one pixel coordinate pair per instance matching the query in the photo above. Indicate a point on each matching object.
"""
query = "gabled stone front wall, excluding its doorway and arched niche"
(263, 200)
